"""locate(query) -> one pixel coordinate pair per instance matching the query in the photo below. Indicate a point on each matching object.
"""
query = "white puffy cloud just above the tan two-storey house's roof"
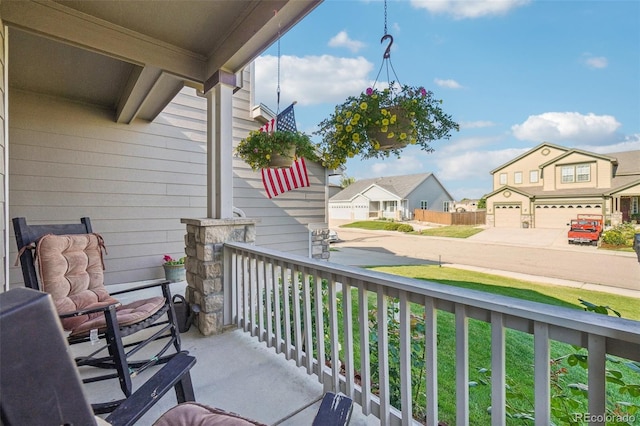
(570, 127)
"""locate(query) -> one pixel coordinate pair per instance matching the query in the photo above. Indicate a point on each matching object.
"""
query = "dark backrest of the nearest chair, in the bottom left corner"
(39, 382)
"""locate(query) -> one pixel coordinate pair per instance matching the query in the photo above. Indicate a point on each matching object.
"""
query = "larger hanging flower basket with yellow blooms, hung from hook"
(381, 122)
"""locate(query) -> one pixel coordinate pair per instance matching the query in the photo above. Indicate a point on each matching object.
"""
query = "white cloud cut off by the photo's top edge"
(469, 9)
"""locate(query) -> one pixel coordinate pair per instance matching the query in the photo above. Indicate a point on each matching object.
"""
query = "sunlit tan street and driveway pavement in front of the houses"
(539, 253)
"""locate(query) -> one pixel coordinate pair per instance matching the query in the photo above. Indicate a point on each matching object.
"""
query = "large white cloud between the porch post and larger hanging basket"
(311, 79)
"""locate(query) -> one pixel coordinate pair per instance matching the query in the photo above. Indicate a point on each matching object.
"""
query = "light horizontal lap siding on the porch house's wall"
(136, 181)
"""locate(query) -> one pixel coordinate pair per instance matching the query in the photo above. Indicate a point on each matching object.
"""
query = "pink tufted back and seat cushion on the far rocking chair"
(71, 270)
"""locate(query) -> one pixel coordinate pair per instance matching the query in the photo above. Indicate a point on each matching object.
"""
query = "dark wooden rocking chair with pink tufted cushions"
(66, 262)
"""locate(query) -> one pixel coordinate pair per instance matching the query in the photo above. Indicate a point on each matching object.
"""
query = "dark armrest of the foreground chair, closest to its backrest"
(134, 407)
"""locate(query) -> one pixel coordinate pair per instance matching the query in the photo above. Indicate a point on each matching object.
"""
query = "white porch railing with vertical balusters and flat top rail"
(262, 287)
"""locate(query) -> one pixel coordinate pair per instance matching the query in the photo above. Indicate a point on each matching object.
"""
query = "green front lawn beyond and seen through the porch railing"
(519, 346)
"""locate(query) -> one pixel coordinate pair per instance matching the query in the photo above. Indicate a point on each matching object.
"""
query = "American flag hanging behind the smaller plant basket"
(281, 180)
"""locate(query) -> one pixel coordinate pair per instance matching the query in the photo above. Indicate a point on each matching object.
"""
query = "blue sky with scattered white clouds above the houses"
(512, 73)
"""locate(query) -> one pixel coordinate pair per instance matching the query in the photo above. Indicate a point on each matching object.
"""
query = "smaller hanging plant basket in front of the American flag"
(263, 150)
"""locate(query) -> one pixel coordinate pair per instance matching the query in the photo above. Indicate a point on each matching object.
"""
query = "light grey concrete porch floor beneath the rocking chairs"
(237, 373)
